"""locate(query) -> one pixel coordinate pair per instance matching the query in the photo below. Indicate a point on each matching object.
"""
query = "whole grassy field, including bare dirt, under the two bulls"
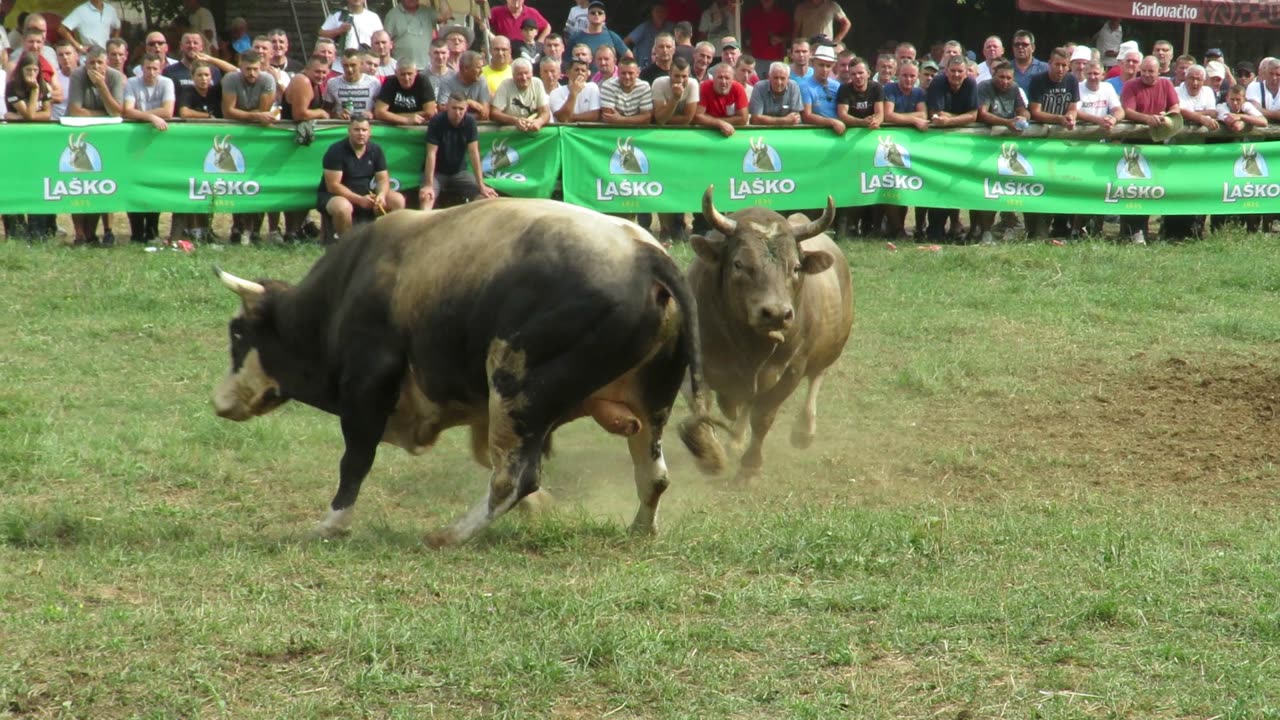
(1043, 487)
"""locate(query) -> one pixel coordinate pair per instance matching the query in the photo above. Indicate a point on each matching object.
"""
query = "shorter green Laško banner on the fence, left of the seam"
(226, 168)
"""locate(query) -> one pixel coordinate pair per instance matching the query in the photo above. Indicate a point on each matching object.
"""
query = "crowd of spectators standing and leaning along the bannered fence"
(445, 66)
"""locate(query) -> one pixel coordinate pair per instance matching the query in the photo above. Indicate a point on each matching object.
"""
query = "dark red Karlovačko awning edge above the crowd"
(1228, 13)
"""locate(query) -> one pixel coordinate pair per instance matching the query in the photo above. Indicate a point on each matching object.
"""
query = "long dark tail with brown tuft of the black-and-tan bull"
(698, 431)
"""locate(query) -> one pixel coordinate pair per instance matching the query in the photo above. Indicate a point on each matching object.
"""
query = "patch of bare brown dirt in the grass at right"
(1204, 425)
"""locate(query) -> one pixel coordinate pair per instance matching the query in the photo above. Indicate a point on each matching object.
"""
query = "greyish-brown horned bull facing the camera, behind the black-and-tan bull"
(775, 307)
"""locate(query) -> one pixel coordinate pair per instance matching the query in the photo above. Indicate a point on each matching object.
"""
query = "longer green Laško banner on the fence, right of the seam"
(629, 171)
